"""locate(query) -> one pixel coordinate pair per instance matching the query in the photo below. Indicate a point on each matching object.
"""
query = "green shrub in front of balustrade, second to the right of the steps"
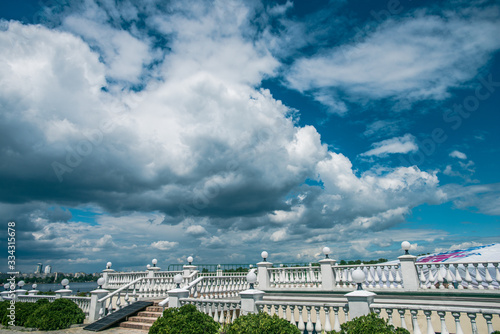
(260, 323)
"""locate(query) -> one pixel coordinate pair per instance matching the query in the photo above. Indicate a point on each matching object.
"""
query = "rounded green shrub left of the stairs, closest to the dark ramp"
(59, 314)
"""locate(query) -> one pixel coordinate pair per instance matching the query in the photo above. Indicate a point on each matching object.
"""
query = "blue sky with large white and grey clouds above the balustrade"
(133, 130)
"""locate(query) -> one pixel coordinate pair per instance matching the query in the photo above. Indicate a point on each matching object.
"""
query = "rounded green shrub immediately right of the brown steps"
(186, 320)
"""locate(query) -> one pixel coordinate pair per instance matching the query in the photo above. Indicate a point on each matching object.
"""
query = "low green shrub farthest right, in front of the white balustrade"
(368, 324)
